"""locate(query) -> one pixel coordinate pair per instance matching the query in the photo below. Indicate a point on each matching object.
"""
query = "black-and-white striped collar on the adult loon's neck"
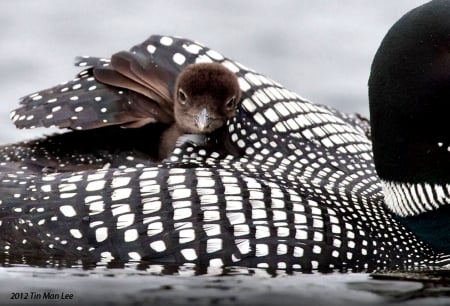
(406, 199)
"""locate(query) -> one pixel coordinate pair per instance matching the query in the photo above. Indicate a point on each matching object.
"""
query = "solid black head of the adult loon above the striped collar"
(409, 93)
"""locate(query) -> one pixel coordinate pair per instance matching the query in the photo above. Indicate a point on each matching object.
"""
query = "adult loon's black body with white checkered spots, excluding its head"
(302, 194)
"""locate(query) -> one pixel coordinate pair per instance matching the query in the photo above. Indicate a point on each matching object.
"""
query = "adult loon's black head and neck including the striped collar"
(409, 94)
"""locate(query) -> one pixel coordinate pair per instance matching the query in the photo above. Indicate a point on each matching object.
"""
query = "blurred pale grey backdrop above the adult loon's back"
(320, 49)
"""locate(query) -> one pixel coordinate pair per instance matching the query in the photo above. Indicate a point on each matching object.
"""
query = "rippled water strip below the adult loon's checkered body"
(232, 286)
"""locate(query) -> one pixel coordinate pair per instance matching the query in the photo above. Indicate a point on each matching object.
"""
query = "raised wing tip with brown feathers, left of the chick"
(130, 89)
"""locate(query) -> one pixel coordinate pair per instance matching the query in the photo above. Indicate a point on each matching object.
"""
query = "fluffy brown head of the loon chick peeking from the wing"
(206, 96)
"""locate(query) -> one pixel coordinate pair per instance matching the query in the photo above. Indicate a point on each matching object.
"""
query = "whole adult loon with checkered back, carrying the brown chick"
(302, 194)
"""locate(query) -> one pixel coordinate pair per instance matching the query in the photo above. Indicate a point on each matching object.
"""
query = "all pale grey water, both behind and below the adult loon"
(320, 49)
